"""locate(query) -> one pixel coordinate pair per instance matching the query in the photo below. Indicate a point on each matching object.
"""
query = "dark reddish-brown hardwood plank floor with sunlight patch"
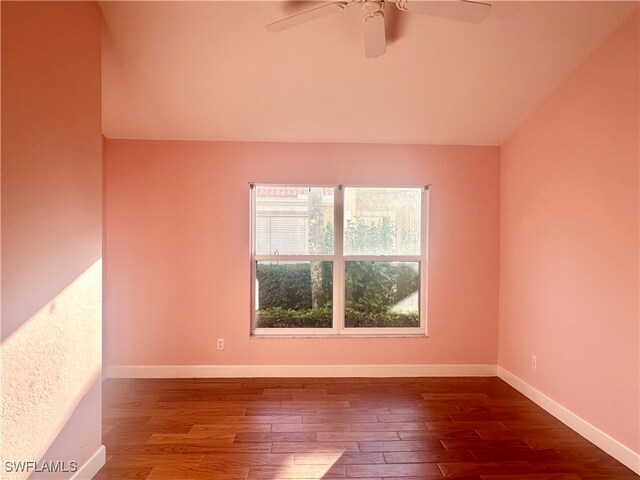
(367, 428)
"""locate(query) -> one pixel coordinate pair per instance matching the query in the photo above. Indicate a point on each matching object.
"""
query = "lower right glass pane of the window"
(382, 294)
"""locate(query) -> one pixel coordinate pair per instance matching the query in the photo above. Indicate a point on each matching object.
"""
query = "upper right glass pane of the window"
(382, 221)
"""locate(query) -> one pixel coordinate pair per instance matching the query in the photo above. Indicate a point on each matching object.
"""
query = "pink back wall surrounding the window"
(177, 245)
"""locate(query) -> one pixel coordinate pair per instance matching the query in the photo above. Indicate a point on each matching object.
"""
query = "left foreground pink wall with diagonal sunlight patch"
(51, 232)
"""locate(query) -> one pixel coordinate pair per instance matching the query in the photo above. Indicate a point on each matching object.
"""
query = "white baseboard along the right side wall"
(617, 450)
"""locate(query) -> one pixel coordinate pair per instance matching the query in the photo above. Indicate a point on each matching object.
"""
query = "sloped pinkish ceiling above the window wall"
(210, 71)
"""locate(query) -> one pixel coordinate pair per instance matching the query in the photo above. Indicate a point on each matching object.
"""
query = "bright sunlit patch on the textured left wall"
(47, 366)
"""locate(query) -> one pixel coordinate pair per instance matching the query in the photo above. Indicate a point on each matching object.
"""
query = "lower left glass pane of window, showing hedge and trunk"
(294, 294)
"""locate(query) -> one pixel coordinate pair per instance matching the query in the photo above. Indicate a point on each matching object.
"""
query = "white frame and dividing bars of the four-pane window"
(338, 327)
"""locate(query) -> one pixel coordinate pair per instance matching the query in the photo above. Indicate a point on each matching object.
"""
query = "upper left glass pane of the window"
(294, 220)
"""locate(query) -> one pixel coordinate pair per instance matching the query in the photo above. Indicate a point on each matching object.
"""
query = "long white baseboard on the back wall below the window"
(306, 371)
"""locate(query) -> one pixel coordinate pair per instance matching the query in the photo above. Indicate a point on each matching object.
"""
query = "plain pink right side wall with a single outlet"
(569, 242)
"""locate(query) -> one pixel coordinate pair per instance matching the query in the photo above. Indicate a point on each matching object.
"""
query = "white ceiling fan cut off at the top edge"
(374, 28)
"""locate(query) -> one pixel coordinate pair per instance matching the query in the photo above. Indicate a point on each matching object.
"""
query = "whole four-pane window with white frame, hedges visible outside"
(338, 260)
